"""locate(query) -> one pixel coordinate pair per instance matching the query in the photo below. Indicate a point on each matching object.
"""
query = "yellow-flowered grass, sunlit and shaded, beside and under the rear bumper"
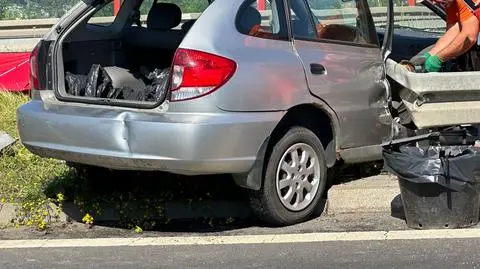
(34, 184)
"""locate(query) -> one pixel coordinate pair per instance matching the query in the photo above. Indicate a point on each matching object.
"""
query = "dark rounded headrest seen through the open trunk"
(164, 16)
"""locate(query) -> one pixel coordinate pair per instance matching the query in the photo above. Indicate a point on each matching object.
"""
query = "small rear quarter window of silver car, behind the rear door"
(262, 21)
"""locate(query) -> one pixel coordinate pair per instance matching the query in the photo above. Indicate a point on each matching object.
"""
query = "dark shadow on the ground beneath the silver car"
(158, 201)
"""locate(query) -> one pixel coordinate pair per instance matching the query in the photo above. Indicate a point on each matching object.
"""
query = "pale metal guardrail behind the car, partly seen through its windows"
(416, 17)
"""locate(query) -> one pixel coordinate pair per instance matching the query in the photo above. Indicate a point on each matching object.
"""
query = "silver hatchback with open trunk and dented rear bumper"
(273, 97)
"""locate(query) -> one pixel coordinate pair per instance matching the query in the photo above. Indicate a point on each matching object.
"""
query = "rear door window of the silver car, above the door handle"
(338, 20)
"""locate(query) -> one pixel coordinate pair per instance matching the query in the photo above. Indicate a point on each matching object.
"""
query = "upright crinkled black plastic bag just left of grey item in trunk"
(99, 82)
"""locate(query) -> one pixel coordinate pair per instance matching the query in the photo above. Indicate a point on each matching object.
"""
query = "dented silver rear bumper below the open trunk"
(132, 140)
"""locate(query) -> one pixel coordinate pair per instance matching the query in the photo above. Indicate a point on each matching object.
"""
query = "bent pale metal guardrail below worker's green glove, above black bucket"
(432, 100)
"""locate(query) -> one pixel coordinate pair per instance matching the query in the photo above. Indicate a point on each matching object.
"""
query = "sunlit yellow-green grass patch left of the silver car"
(23, 175)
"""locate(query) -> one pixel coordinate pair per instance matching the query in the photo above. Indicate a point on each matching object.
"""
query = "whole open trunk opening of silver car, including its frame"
(124, 63)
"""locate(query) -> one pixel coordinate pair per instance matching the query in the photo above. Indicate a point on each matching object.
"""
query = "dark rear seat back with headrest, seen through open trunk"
(159, 33)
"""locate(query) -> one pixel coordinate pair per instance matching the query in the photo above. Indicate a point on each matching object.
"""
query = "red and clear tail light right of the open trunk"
(196, 74)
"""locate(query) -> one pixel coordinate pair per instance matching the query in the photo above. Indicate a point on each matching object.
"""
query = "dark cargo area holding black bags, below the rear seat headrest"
(132, 67)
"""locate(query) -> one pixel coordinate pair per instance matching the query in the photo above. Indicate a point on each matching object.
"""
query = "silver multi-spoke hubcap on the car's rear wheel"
(298, 177)
